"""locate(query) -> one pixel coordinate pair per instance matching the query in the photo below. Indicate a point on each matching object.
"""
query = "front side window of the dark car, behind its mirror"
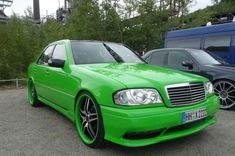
(175, 59)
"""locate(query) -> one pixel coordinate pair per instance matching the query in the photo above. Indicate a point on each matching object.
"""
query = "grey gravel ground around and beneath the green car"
(25, 130)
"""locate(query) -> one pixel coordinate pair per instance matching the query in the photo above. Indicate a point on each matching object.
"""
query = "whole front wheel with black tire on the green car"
(88, 120)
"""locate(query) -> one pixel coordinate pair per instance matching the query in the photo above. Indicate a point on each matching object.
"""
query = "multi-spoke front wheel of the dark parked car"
(225, 89)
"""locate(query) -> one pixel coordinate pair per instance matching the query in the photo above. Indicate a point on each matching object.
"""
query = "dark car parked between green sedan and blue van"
(201, 63)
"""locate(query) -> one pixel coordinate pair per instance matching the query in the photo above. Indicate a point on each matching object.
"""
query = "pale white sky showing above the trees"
(49, 7)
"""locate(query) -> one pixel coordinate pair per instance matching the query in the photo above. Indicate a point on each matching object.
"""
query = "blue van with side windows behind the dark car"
(217, 39)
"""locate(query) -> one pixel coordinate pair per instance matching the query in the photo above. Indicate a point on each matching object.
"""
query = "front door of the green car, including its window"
(60, 90)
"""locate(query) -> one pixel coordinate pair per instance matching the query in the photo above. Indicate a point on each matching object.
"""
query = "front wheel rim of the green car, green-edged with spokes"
(87, 119)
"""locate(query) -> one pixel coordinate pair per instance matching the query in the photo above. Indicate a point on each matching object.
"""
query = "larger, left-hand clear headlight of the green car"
(137, 97)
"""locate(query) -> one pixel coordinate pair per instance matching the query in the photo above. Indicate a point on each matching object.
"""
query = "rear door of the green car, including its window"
(41, 72)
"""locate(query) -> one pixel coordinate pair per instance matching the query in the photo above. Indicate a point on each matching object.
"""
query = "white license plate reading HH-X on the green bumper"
(194, 115)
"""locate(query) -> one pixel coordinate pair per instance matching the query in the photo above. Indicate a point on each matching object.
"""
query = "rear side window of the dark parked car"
(158, 58)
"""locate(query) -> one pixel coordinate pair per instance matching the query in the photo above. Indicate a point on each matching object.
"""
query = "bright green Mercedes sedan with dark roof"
(112, 94)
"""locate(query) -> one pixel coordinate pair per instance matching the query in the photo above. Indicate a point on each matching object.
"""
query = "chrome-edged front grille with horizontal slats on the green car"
(186, 94)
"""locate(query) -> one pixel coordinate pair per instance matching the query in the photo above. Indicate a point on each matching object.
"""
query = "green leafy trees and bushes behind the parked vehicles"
(140, 24)
